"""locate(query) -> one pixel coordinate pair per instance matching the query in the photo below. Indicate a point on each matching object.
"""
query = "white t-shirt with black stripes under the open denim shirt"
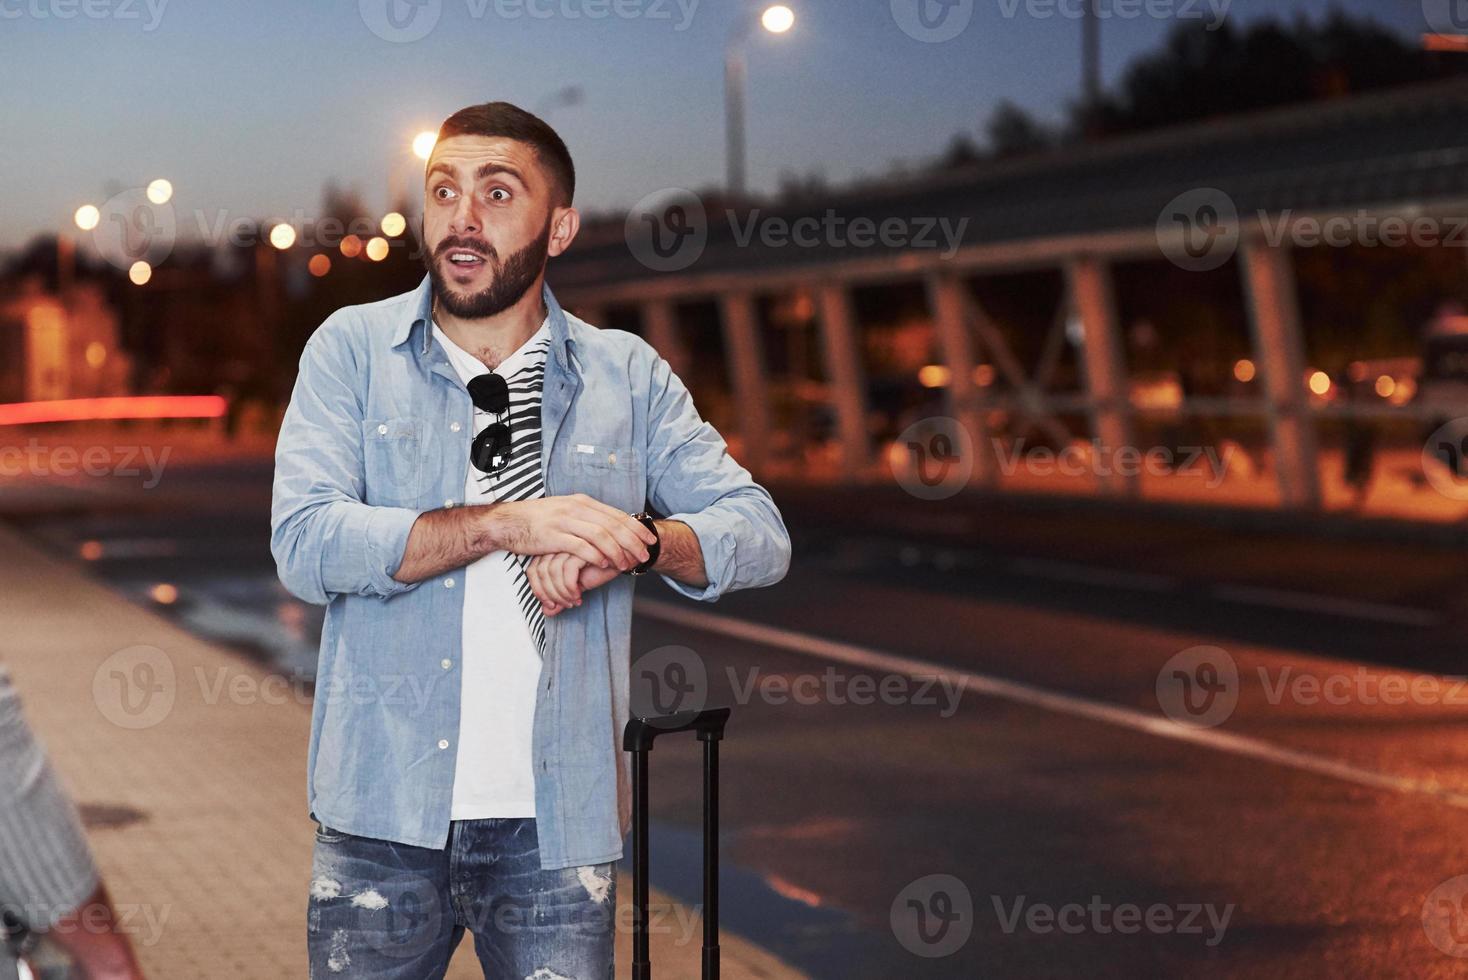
(503, 626)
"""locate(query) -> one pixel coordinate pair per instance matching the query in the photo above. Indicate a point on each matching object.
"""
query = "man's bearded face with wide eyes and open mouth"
(488, 222)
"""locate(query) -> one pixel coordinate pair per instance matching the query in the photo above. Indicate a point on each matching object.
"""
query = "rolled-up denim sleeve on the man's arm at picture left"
(325, 539)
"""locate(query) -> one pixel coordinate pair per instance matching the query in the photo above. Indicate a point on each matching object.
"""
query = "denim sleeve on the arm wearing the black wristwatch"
(694, 479)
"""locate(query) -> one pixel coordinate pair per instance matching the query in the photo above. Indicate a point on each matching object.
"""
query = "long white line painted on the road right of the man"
(1072, 705)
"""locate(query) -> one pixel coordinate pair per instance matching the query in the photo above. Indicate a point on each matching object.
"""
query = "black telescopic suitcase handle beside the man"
(638, 740)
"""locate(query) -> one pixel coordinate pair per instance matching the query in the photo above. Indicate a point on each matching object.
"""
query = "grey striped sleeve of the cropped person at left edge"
(46, 868)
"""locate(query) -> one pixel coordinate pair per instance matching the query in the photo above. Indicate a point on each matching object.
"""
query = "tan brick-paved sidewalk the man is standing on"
(190, 765)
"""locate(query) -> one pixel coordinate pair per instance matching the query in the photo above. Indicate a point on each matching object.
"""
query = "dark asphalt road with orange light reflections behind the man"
(981, 739)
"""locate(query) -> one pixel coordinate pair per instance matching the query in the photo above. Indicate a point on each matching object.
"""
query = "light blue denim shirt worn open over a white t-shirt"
(378, 434)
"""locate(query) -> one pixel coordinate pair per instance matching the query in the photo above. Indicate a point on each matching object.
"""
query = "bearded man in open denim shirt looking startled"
(457, 480)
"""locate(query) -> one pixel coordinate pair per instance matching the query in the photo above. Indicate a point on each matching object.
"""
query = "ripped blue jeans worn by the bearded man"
(381, 910)
